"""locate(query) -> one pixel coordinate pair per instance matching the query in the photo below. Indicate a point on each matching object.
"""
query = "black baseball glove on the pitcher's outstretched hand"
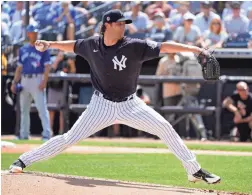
(210, 66)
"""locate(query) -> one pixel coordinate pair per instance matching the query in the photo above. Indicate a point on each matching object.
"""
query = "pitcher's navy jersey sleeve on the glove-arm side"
(147, 49)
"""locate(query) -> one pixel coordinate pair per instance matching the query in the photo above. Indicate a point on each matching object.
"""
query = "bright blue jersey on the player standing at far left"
(32, 60)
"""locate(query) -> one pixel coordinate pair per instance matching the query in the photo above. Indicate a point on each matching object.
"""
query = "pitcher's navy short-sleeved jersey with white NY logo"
(115, 69)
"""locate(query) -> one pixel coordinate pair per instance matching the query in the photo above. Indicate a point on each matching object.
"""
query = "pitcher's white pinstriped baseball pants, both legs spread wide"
(102, 113)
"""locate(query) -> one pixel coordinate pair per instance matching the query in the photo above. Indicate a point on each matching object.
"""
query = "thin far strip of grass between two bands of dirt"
(150, 145)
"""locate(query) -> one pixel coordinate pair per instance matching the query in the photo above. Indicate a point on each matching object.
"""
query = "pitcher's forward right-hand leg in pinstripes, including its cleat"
(138, 115)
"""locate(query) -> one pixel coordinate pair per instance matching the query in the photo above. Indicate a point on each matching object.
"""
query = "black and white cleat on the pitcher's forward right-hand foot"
(203, 175)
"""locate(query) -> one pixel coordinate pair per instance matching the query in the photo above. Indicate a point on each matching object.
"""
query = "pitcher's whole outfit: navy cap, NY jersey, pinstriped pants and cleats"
(114, 73)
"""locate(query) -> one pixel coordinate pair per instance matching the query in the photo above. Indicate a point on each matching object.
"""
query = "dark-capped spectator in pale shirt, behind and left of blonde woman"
(203, 19)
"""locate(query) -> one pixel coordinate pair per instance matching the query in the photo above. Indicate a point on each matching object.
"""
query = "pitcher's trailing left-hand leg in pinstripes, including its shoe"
(98, 115)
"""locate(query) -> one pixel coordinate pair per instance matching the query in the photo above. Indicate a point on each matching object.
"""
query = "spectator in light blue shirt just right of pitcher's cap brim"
(140, 23)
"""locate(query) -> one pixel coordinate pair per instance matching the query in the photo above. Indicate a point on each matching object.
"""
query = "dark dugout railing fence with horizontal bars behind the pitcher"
(157, 81)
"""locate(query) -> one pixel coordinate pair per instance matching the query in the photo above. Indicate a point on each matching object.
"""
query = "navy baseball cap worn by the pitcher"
(115, 16)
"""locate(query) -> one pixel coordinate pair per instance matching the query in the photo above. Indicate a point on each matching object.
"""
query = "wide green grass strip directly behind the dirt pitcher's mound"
(236, 172)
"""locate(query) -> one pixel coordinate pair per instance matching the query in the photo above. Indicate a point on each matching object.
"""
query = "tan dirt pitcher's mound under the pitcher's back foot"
(31, 183)
